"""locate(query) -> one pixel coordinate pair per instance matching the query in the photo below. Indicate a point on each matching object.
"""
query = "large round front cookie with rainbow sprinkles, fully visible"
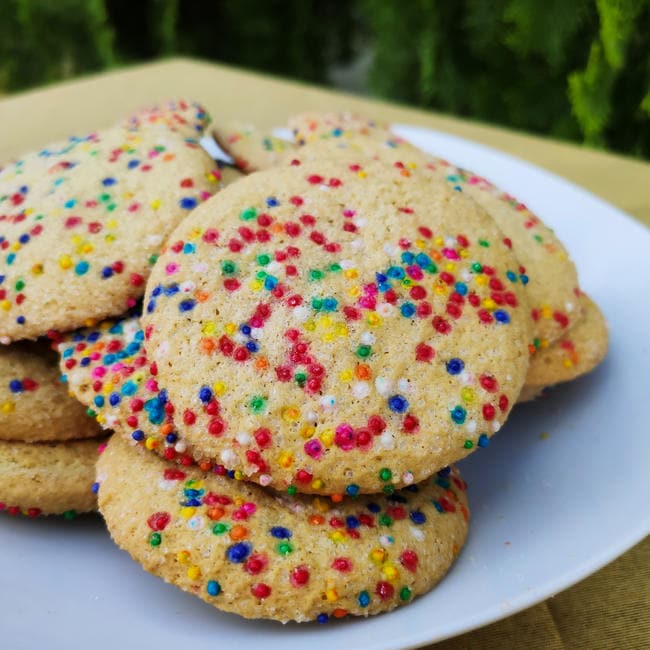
(337, 329)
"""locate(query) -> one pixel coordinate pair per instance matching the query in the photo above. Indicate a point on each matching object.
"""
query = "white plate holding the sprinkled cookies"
(546, 511)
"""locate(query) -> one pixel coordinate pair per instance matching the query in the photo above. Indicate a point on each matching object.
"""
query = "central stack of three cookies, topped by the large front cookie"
(317, 345)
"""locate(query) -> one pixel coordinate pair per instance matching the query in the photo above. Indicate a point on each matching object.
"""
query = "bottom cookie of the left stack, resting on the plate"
(48, 478)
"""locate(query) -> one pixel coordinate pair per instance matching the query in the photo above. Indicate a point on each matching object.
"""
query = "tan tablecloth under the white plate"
(611, 609)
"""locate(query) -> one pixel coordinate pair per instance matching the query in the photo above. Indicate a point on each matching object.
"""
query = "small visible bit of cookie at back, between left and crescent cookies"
(250, 148)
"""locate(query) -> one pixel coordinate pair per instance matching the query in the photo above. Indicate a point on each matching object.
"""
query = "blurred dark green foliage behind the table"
(574, 69)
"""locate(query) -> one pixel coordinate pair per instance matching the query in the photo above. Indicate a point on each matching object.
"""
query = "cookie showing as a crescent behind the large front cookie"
(552, 273)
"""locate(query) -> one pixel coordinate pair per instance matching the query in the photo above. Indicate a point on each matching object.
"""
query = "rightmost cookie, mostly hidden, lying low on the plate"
(572, 356)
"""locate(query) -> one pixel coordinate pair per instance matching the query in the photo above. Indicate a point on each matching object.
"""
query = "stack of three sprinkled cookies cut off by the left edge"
(81, 223)
